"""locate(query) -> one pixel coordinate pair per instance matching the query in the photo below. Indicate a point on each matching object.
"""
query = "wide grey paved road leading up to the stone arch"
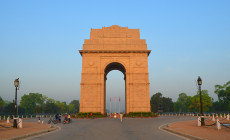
(113, 129)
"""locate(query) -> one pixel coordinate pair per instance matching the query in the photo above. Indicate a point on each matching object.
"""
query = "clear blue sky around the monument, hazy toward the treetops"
(39, 42)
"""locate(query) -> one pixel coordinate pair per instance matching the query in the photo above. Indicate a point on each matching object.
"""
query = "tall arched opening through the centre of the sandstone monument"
(115, 88)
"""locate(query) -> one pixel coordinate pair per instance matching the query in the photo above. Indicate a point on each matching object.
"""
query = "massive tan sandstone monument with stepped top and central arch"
(114, 48)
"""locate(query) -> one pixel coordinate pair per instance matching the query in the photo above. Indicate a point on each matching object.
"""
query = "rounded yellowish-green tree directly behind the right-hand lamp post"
(206, 101)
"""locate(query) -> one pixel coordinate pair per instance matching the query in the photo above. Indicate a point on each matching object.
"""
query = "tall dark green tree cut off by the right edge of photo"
(223, 93)
